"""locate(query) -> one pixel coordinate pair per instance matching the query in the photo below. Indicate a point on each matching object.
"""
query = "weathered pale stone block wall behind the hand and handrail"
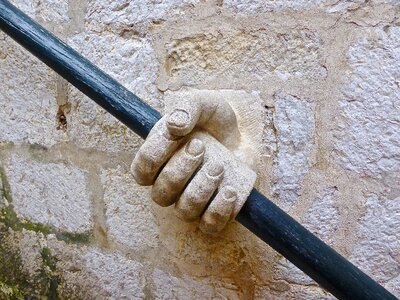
(324, 76)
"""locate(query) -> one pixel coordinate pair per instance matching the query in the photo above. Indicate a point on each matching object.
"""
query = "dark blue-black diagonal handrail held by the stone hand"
(259, 215)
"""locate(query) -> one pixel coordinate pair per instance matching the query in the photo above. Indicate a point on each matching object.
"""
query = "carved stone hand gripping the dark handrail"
(195, 154)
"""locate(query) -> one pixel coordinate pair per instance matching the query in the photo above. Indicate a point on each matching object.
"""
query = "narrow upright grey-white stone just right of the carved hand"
(295, 125)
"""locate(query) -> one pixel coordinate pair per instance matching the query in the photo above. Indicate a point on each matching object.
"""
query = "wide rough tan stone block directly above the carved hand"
(254, 54)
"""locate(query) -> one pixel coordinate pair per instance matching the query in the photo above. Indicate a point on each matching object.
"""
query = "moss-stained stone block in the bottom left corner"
(74, 272)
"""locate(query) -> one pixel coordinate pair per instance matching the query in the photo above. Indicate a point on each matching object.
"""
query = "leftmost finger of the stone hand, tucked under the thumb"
(154, 153)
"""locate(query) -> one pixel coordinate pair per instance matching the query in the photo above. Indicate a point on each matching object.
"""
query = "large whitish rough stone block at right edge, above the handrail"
(368, 139)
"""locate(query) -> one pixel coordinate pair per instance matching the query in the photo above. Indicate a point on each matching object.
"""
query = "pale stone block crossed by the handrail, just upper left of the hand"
(129, 61)
